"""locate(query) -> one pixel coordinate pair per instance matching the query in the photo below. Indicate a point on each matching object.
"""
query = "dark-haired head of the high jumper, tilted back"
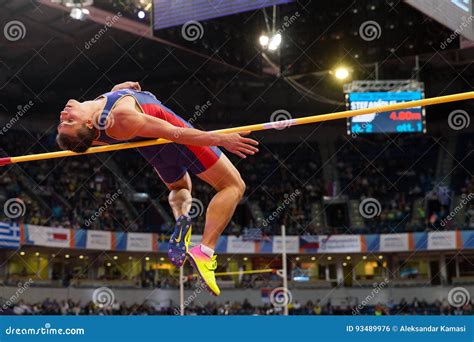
(76, 131)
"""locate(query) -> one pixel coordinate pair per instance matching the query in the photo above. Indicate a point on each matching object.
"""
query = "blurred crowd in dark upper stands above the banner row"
(284, 182)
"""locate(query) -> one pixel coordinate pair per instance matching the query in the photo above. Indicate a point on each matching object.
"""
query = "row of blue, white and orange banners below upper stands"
(449, 240)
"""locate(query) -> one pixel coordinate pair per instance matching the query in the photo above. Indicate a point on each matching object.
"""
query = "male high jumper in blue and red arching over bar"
(128, 114)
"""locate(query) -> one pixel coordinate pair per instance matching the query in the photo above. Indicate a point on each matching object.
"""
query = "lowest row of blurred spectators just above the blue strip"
(404, 307)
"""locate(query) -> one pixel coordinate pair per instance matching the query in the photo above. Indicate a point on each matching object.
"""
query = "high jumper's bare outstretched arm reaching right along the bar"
(129, 123)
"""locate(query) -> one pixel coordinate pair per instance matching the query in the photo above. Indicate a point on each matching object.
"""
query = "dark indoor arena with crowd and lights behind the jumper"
(365, 215)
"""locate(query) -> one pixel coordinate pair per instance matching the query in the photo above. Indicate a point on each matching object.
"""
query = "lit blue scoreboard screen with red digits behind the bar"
(410, 120)
